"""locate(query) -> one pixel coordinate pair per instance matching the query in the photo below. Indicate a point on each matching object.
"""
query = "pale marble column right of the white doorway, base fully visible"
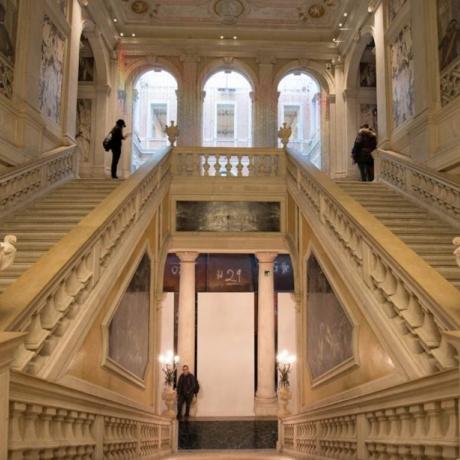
(265, 401)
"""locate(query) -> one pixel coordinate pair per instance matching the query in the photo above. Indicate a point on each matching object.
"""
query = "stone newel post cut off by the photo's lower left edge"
(9, 342)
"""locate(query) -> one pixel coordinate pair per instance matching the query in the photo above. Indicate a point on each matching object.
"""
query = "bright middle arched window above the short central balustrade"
(227, 111)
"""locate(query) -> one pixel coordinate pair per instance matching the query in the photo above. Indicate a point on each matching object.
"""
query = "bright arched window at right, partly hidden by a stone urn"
(299, 105)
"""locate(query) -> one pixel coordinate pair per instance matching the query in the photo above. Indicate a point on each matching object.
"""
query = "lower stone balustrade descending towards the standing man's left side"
(53, 421)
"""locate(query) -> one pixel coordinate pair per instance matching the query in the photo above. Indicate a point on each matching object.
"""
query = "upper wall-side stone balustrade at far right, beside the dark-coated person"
(436, 191)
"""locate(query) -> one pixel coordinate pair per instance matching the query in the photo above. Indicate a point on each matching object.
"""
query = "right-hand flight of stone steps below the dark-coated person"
(426, 234)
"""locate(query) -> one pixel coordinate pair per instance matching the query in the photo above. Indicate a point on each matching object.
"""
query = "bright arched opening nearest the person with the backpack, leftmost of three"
(154, 106)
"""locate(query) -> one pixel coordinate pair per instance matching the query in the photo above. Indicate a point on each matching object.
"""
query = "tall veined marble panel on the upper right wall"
(402, 74)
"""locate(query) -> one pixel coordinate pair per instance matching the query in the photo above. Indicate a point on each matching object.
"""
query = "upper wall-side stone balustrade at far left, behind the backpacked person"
(26, 182)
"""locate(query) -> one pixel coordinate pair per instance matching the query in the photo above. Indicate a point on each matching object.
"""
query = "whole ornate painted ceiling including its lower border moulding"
(313, 20)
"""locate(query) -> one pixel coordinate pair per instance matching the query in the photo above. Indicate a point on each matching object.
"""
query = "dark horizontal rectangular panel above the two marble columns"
(227, 216)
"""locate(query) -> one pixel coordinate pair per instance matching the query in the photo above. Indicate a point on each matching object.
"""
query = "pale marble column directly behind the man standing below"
(186, 329)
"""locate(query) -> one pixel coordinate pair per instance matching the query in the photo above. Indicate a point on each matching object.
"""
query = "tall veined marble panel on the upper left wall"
(51, 71)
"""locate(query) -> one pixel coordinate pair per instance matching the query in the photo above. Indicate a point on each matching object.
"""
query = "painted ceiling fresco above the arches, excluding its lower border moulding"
(260, 14)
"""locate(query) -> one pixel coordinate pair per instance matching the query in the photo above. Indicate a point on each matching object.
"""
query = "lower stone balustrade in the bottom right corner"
(412, 420)
